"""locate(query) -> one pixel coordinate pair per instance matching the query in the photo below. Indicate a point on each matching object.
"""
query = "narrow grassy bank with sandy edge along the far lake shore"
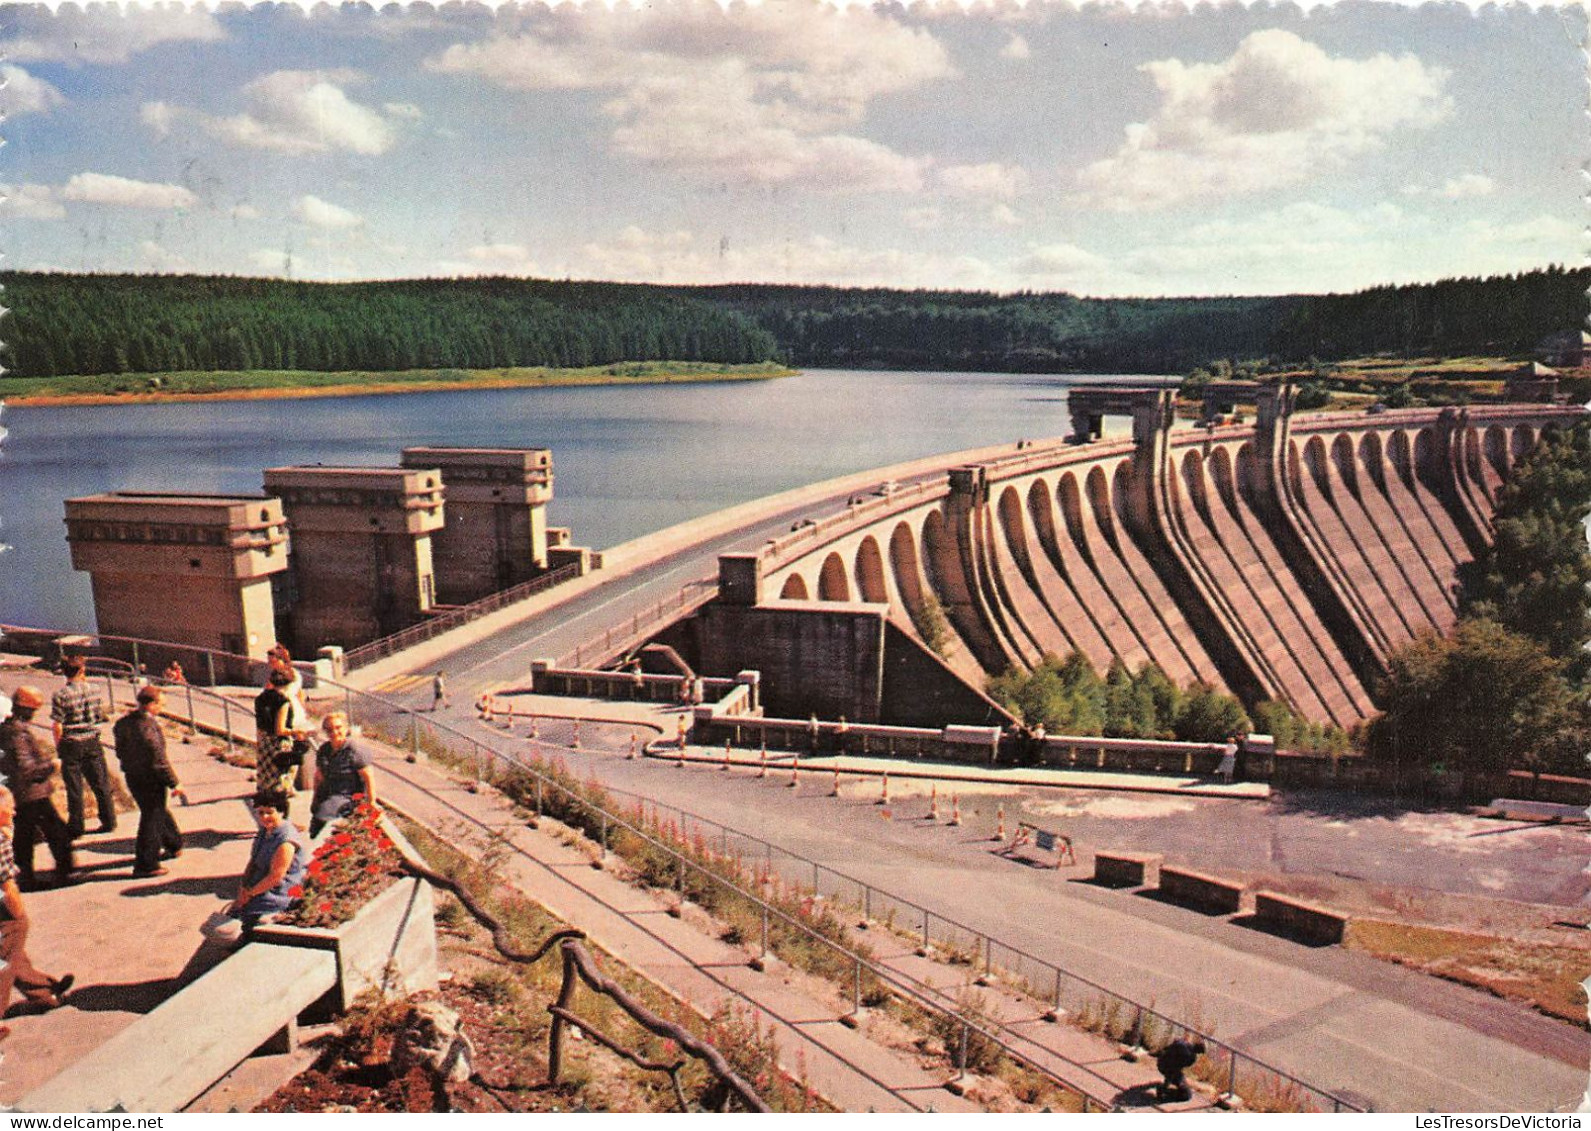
(260, 384)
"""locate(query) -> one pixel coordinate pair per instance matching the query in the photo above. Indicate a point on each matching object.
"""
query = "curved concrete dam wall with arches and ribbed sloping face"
(1282, 559)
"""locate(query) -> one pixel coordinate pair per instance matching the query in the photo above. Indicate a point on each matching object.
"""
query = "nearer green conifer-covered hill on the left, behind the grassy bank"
(66, 325)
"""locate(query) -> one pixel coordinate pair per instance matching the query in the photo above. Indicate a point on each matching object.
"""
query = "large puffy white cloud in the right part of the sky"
(1275, 114)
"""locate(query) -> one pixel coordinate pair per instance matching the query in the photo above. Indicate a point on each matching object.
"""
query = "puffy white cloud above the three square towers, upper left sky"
(295, 112)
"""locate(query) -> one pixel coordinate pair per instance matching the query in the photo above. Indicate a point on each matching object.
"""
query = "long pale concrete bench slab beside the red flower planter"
(168, 1059)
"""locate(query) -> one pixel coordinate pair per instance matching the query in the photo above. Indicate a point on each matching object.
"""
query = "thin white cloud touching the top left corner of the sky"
(101, 34)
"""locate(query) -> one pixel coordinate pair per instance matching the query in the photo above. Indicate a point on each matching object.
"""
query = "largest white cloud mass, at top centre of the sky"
(763, 96)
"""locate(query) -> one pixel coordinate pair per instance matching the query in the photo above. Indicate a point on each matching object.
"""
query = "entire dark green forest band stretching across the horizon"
(161, 324)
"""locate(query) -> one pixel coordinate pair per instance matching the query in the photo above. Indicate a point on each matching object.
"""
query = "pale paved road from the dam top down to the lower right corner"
(1367, 1030)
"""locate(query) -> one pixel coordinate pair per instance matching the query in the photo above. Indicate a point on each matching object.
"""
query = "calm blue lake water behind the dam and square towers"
(626, 461)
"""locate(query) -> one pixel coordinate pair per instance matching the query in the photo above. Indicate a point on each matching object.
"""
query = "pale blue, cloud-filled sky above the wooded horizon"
(1099, 150)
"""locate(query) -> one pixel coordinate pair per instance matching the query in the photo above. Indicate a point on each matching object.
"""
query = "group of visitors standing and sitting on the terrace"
(28, 812)
